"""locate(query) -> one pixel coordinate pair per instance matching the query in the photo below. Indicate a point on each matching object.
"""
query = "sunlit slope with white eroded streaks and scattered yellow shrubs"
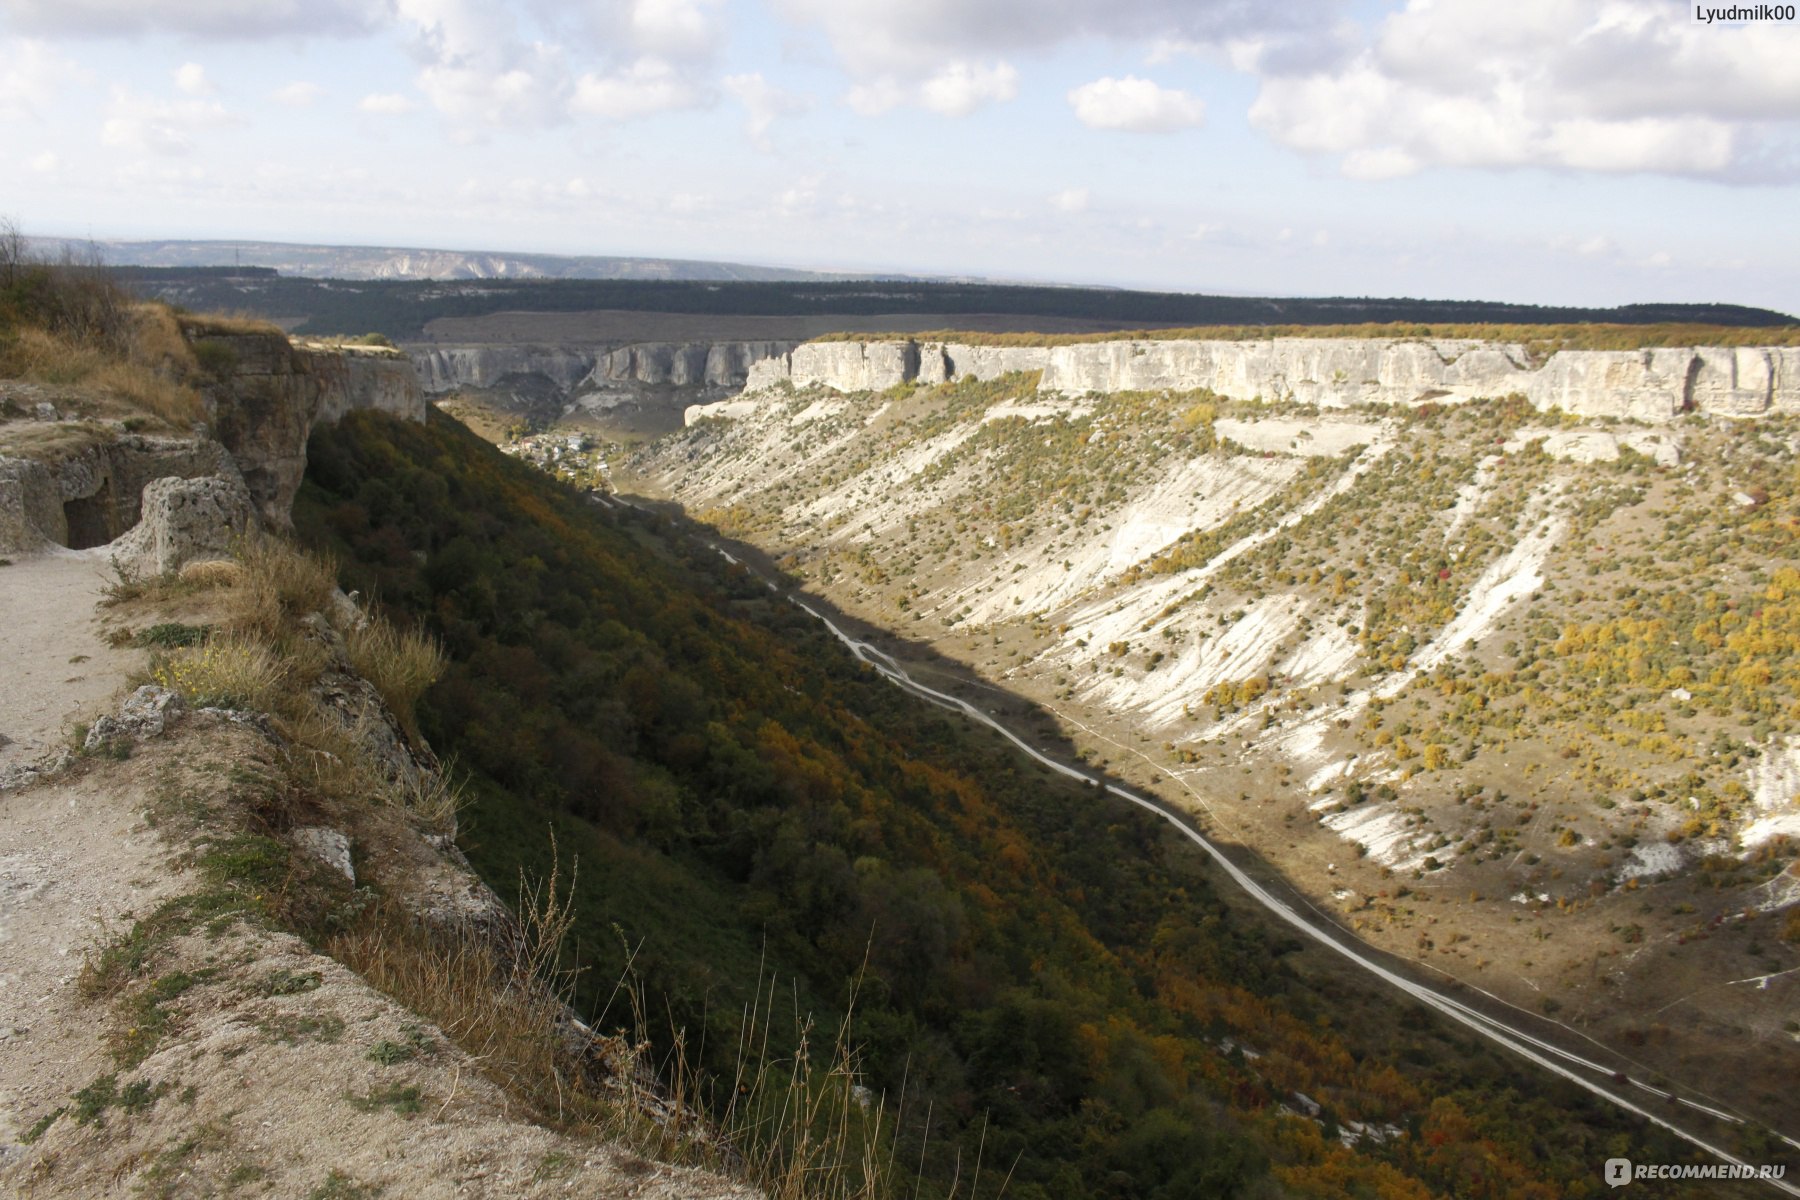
(1515, 697)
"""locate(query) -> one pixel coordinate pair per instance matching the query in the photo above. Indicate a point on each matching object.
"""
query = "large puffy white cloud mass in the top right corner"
(1610, 87)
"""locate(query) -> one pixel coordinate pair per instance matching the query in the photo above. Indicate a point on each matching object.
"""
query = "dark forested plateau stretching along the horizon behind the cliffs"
(402, 309)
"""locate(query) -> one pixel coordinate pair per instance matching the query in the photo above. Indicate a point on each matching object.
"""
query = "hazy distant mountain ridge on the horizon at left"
(319, 262)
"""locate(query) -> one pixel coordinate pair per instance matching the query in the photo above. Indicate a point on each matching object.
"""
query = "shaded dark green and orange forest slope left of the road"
(1045, 981)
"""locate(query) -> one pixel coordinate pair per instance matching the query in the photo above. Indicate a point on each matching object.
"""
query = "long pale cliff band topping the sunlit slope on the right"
(1333, 373)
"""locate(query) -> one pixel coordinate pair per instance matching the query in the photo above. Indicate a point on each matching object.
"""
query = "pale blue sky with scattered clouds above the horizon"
(1560, 152)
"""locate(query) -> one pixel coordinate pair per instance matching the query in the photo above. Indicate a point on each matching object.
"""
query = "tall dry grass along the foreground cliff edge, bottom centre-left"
(796, 1127)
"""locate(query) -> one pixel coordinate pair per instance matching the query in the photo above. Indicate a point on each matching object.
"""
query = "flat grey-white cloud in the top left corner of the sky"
(204, 19)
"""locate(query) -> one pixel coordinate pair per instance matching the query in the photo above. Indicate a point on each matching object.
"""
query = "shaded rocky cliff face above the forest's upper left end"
(273, 395)
